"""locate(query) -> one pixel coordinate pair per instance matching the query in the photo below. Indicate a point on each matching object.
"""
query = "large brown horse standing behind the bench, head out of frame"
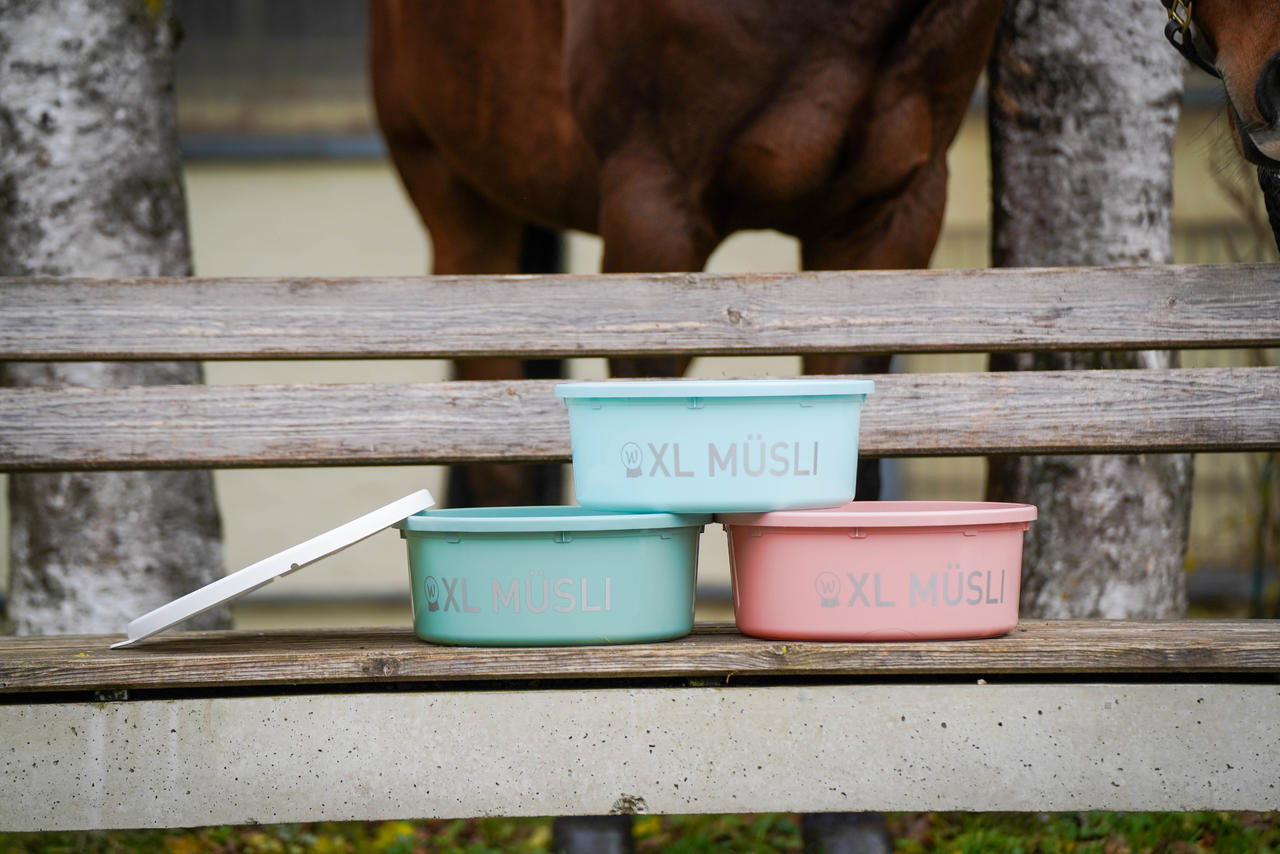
(668, 125)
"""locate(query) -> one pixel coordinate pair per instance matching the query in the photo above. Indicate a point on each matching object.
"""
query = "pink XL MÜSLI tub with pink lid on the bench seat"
(879, 570)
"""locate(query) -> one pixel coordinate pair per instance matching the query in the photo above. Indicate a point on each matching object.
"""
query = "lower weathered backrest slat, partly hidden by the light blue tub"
(362, 424)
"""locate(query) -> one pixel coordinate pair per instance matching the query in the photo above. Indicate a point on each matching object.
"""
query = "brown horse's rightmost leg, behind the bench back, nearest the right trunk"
(900, 234)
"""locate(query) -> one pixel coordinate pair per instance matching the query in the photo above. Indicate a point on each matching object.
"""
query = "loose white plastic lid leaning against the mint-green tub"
(267, 570)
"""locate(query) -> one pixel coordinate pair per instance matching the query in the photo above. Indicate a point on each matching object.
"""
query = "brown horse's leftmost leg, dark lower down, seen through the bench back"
(470, 235)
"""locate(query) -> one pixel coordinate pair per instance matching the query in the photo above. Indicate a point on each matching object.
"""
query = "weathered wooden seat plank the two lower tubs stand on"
(321, 657)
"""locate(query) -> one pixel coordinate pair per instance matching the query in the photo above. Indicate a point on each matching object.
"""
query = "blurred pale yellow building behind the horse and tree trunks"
(287, 177)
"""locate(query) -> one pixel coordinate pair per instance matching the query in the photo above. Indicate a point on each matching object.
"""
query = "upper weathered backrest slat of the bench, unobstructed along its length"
(577, 316)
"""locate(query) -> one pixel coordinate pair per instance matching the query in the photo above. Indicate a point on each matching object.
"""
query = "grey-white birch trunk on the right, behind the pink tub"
(1085, 101)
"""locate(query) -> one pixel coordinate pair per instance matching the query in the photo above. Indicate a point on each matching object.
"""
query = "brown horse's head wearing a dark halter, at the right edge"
(1240, 43)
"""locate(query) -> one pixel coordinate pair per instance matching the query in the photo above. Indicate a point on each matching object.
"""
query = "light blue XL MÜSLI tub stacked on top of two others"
(715, 446)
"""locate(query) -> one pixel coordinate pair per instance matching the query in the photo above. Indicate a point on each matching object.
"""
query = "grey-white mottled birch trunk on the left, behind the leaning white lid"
(92, 185)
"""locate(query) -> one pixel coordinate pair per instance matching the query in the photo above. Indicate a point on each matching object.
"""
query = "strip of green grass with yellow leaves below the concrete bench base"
(913, 834)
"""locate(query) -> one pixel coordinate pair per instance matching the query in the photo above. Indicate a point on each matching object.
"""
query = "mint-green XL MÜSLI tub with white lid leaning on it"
(511, 577)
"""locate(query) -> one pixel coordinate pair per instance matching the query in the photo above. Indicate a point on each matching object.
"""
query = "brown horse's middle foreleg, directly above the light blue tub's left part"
(650, 226)
